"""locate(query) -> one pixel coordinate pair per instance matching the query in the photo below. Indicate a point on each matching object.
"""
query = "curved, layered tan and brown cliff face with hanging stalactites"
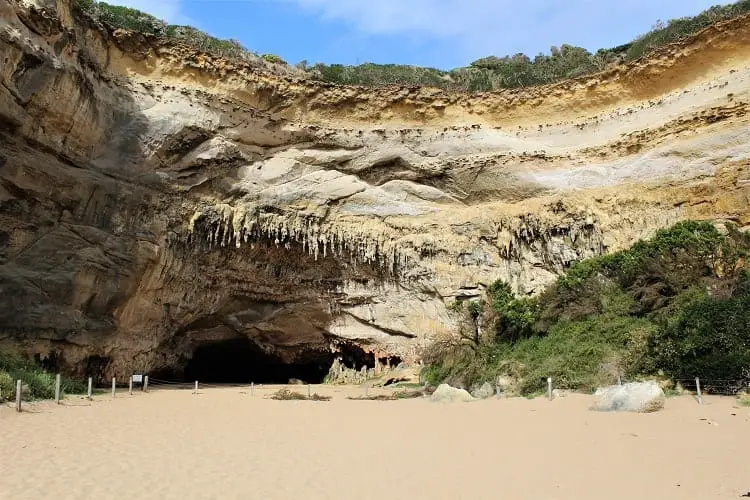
(154, 199)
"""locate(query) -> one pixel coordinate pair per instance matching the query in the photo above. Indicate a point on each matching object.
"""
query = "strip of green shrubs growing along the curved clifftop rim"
(486, 74)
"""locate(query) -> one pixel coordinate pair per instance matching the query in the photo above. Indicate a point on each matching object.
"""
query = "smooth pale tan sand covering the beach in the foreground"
(224, 443)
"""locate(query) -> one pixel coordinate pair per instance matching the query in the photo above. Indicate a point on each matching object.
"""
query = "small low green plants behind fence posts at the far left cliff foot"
(37, 383)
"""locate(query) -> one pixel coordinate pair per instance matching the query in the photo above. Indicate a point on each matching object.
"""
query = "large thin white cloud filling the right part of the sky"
(482, 27)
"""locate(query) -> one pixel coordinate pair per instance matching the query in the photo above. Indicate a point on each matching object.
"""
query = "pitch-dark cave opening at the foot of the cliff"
(241, 361)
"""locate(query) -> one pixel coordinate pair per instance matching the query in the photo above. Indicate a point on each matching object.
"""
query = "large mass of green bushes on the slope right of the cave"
(675, 306)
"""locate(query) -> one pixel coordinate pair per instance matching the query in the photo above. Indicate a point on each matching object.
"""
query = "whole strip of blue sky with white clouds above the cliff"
(438, 33)
